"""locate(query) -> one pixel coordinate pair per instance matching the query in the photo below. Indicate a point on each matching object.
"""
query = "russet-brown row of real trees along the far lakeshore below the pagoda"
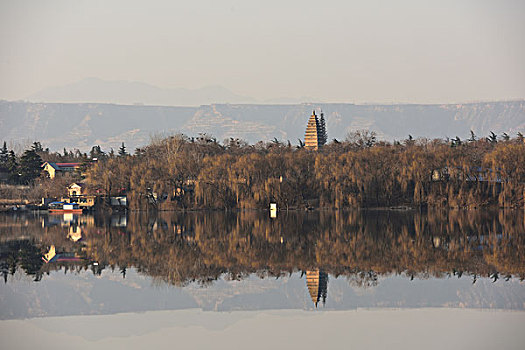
(179, 172)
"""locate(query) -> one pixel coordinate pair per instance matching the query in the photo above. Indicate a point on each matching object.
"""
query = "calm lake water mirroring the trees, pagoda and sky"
(301, 268)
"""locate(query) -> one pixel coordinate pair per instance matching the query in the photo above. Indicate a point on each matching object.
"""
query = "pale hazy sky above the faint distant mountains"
(366, 51)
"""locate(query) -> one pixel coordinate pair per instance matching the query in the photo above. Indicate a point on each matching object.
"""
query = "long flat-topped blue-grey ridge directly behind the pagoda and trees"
(82, 125)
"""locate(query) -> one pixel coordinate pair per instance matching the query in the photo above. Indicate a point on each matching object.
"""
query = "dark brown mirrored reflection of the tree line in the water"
(362, 245)
